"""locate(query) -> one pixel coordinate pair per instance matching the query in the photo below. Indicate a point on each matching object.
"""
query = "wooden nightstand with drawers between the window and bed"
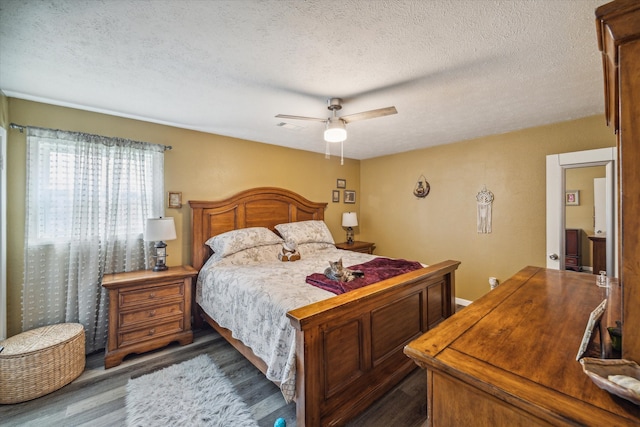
(147, 310)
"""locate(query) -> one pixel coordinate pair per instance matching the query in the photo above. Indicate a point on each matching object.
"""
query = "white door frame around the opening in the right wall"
(556, 166)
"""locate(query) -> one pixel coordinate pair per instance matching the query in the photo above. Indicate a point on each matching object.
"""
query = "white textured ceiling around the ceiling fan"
(454, 69)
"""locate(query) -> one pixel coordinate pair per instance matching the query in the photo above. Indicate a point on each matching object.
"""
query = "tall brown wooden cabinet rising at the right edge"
(618, 28)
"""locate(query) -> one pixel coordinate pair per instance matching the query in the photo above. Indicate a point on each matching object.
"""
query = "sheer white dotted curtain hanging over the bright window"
(88, 198)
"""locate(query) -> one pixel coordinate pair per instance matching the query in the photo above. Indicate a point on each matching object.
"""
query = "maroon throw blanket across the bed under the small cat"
(374, 271)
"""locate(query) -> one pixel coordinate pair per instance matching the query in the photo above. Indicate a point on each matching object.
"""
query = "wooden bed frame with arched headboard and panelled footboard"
(348, 348)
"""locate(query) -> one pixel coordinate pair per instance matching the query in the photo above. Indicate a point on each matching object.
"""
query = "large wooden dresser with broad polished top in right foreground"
(509, 359)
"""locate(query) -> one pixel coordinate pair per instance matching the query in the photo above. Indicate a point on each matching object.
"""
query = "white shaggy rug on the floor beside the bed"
(191, 393)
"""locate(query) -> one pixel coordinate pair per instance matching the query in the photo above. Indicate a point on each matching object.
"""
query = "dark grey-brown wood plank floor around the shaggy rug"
(97, 397)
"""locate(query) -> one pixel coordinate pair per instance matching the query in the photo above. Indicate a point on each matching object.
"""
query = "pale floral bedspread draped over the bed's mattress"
(250, 293)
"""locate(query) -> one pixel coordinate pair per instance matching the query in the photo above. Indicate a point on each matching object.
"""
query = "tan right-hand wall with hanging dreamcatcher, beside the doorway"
(443, 225)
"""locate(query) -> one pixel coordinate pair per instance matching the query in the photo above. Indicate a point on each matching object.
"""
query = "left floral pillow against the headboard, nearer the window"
(244, 238)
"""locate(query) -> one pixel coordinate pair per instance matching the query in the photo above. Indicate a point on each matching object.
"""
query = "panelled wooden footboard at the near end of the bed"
(350, 347)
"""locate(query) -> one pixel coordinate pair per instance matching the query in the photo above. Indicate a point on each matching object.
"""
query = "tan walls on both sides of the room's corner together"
(441, 226)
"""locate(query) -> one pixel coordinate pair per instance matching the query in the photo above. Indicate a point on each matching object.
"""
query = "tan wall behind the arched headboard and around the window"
(201, 166)
